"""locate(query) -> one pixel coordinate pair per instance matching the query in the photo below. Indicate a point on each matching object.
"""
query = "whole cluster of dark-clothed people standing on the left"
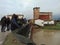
(11, 24)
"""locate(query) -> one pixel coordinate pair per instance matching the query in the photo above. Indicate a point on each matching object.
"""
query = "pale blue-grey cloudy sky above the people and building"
(25, 7)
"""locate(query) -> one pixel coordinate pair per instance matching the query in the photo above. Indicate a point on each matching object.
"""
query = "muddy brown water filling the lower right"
(48, 37)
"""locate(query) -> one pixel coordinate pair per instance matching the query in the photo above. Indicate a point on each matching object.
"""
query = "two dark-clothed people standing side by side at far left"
(5, 22)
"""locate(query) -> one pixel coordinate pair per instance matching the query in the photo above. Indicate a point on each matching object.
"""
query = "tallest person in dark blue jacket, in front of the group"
(14, 22)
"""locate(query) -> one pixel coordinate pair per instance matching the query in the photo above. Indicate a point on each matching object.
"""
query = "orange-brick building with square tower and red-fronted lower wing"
(41, 15)
